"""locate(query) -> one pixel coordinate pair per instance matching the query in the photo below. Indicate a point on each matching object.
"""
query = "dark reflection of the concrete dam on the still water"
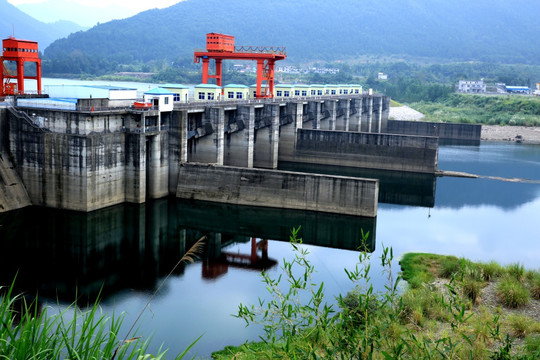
(63, 254)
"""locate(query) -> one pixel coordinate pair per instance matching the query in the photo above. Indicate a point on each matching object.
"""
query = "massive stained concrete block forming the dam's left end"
(63, 166)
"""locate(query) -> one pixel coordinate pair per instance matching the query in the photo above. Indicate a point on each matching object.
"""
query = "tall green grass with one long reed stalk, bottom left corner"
(27, 331)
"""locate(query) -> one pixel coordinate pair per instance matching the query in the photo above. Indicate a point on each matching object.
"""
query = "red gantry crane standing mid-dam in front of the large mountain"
(220, 47)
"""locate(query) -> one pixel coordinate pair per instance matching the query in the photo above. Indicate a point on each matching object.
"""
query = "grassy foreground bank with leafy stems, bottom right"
(451, 309)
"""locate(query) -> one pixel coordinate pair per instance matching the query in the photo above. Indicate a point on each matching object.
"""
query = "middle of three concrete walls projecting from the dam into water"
(366, 150)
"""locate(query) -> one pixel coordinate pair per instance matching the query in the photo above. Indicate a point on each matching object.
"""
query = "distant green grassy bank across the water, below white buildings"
(483, 109)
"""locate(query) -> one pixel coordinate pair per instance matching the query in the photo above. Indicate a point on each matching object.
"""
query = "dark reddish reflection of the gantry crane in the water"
(213, 268)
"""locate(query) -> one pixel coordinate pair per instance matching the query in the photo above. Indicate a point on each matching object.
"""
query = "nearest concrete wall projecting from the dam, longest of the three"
(272, 188)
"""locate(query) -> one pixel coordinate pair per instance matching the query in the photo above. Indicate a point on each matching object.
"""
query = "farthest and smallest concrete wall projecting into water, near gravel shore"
(447, 132)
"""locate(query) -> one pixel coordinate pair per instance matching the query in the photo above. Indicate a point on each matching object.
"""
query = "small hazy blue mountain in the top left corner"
(15, 22)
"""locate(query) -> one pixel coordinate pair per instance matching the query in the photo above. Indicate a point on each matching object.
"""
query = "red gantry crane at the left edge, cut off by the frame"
(19, 51)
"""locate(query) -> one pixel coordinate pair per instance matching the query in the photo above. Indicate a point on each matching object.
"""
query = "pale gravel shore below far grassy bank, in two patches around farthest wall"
(527, 135)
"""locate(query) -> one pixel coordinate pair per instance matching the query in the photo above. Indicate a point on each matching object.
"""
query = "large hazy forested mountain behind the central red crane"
(495, 31)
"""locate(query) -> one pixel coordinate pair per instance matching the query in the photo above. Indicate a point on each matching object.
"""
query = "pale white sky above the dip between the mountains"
(86, 12)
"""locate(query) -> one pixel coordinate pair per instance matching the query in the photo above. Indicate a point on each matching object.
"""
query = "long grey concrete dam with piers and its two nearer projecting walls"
(97, 155)
